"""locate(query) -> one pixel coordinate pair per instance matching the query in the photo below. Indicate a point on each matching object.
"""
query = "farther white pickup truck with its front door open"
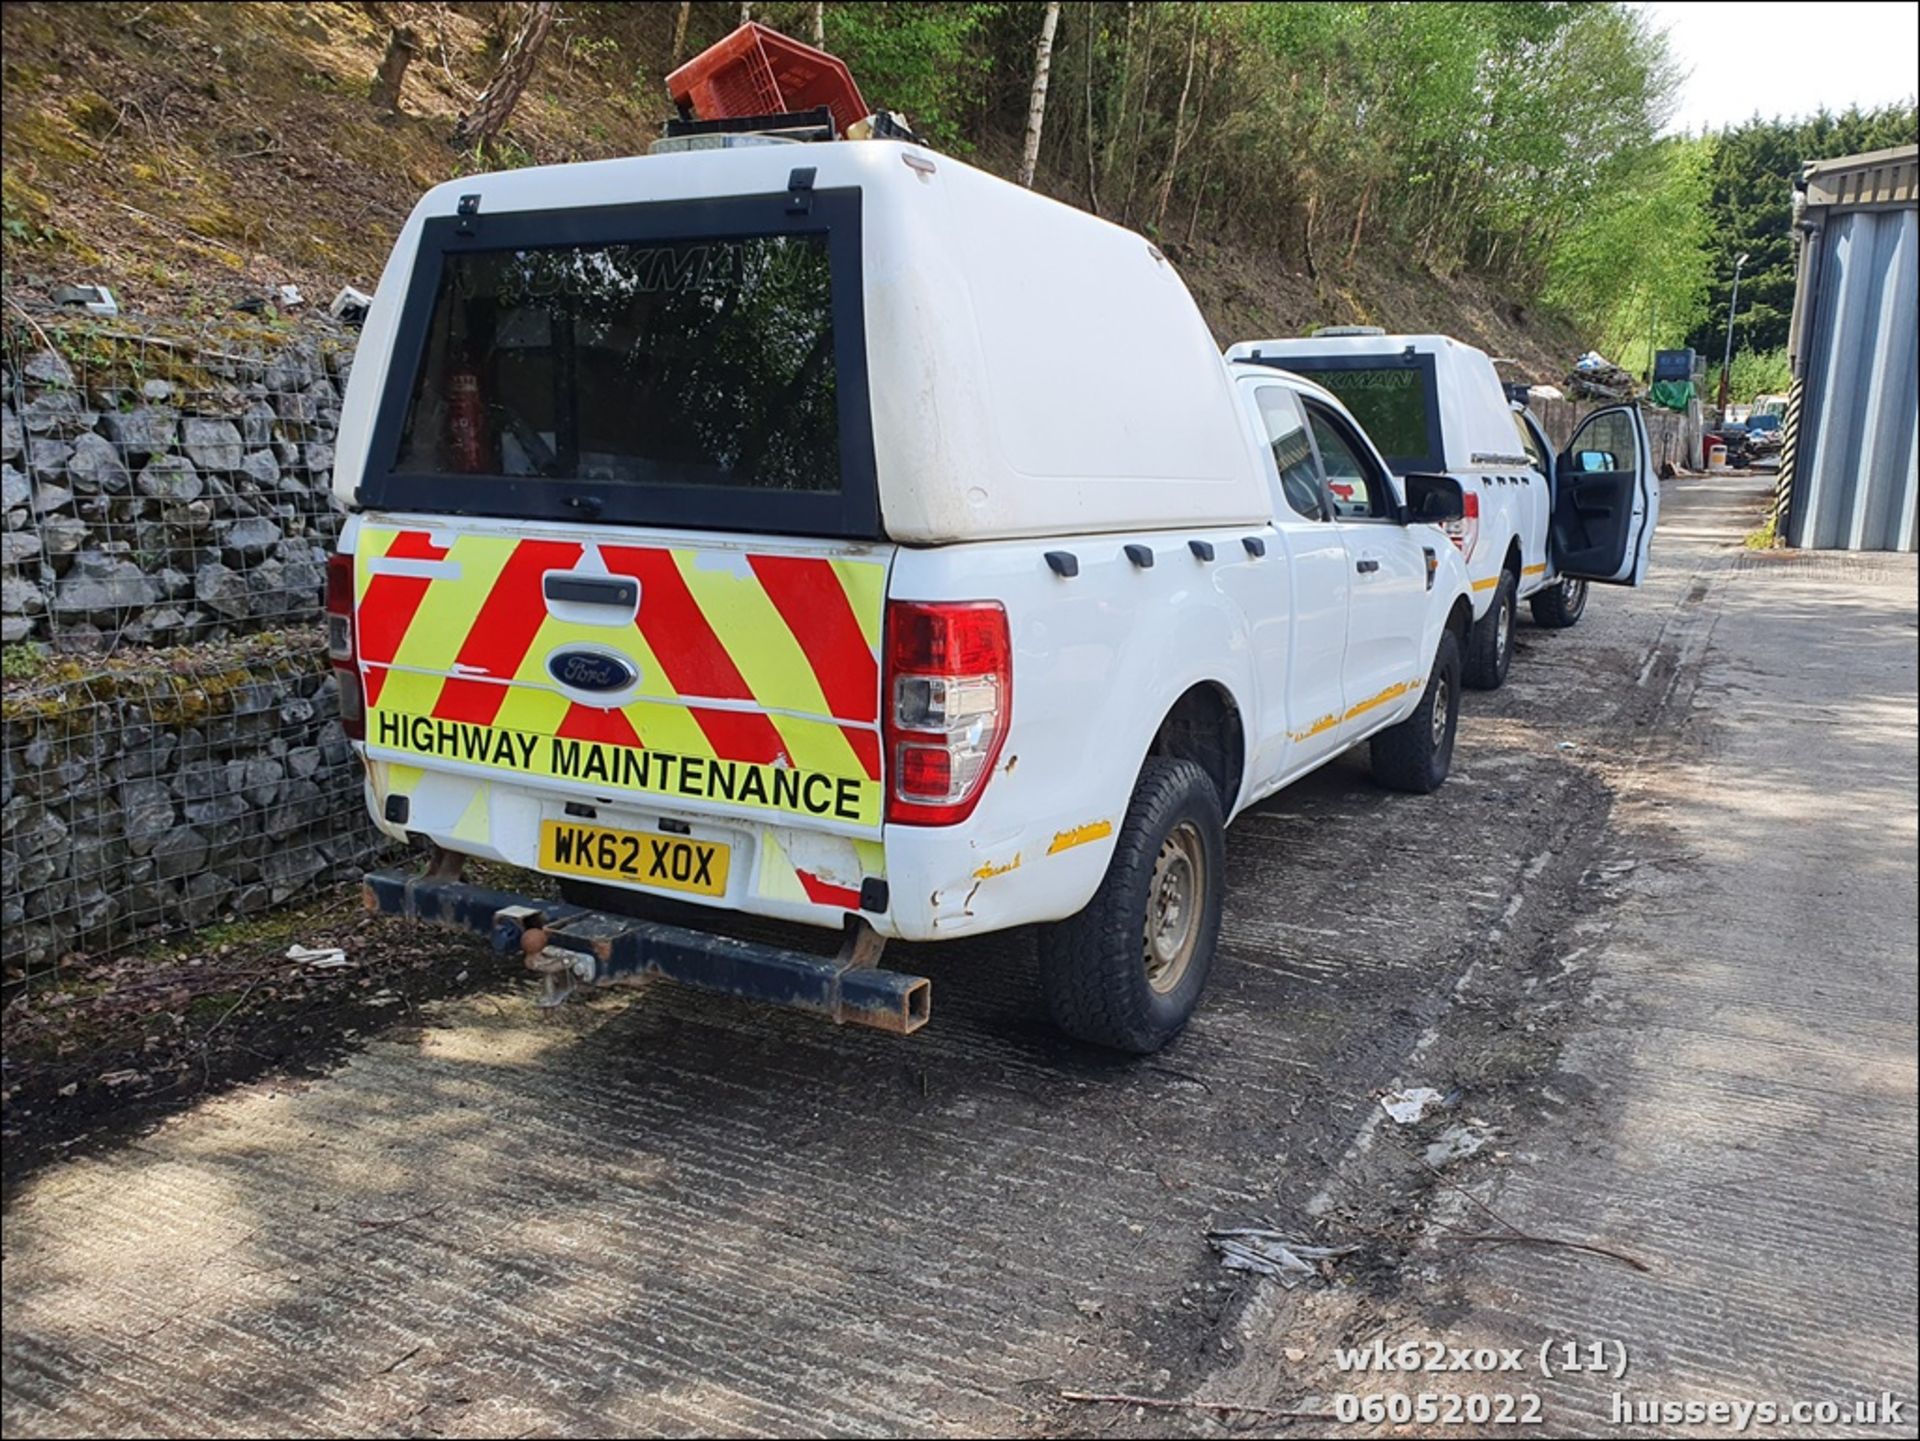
(1539, 527)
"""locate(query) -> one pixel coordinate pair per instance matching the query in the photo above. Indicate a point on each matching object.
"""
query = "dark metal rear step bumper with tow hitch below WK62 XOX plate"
(602, 949)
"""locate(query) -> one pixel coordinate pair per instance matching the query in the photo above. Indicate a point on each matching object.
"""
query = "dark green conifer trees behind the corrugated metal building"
(1752, 212)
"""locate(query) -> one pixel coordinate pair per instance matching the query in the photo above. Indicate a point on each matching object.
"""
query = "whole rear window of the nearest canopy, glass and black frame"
(673, 366)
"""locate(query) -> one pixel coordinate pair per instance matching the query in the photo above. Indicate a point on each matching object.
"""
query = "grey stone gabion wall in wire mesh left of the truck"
(172, 742)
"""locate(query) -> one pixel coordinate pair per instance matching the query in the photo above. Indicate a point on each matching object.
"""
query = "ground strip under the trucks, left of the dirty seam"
(663, 1214)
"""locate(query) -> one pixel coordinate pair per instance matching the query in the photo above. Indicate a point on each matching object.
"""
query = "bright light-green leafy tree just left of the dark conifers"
(1635, 268)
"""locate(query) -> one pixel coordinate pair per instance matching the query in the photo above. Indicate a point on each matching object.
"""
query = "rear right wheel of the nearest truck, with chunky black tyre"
(1130, 970)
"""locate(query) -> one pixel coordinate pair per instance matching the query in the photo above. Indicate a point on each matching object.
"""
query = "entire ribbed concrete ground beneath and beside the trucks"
(1654, 943)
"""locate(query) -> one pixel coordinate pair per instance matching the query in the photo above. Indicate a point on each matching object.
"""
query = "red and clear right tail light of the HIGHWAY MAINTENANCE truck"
(949, 692)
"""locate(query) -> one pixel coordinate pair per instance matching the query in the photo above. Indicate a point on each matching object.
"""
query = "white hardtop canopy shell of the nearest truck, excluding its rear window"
(1034, 369)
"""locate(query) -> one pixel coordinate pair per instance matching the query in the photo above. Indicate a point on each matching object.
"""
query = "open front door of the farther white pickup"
(1606, 500)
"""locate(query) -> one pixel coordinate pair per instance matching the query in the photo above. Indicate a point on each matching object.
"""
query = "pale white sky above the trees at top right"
(1788, 57)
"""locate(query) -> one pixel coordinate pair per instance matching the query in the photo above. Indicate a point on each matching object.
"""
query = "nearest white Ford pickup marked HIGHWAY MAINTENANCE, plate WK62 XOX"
(844, 536)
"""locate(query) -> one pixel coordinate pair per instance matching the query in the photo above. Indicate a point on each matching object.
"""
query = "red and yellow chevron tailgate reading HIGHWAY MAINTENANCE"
(696, 674)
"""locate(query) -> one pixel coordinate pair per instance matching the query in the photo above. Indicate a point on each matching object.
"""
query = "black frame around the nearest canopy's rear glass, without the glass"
(852, 513)
